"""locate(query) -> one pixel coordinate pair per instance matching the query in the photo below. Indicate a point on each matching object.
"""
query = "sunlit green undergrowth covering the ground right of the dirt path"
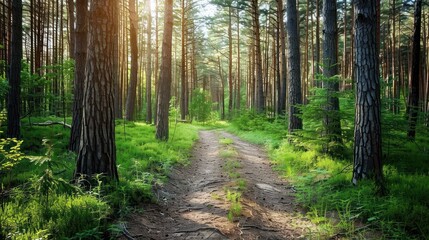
(324, 187)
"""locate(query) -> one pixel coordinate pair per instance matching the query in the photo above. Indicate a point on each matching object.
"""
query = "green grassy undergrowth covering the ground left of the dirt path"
(38, 201)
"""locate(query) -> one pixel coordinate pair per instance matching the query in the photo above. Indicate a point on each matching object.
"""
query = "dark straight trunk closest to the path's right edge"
(294, 96)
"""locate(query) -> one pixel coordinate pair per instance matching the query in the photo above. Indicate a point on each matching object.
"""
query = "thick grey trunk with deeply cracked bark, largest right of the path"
(367, 133)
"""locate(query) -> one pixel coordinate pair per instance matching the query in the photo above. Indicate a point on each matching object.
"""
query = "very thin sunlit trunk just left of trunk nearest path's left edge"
(149, 66)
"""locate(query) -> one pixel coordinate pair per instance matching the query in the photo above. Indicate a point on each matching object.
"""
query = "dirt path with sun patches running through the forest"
(194, 205)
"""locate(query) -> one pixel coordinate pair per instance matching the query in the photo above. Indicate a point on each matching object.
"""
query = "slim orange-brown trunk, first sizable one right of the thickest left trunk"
(132, 89)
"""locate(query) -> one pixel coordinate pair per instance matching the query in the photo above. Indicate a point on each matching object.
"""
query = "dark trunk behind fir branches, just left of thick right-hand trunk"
(331, 119)
